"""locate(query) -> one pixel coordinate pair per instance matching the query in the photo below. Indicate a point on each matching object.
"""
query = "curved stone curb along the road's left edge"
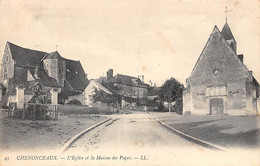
(67, 145)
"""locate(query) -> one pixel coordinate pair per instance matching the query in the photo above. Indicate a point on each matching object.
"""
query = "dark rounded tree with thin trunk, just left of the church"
(171, 91)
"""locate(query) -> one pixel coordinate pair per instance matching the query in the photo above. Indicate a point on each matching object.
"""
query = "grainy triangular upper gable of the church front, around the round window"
(217, 54)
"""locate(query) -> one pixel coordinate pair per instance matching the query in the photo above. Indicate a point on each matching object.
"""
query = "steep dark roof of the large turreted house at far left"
(26, 59)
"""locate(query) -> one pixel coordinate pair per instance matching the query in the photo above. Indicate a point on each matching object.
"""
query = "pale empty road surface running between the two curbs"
(136, 131)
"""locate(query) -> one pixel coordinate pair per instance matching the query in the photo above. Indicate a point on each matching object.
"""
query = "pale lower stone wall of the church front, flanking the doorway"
(239, 99)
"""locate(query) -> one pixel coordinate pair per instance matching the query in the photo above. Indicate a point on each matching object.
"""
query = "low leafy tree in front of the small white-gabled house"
(103, 97)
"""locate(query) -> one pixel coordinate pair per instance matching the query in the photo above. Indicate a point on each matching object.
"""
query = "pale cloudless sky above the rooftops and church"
(157, 39)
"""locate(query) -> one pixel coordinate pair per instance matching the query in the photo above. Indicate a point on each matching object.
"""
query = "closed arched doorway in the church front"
(216, 106)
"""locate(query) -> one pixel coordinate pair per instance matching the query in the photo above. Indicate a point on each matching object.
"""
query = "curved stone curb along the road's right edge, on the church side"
(190, 138)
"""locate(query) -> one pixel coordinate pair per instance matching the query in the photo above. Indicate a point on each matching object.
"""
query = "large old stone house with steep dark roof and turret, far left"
(26, 67)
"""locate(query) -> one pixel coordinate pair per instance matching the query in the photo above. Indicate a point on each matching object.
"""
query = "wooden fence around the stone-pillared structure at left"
(34, 111)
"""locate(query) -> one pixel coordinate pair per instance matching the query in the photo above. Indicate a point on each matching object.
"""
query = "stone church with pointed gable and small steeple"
(220, 83)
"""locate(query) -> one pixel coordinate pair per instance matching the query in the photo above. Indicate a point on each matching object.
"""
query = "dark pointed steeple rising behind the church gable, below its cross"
(228, 36)
